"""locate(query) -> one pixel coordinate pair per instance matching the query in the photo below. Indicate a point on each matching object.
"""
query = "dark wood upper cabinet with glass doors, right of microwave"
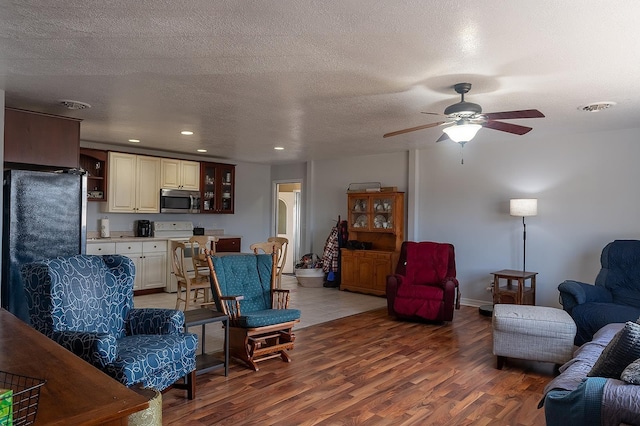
(217, 187)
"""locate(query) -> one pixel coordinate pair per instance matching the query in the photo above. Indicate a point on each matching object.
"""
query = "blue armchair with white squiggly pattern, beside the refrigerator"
(85, 304)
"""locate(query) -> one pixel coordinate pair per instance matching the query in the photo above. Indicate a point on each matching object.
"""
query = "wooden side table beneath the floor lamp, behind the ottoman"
(520, 293)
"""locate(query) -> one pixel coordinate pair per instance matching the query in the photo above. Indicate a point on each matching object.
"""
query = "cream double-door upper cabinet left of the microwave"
(133, 183)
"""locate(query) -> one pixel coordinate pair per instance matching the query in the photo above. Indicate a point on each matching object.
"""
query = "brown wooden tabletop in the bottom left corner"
(75, 392)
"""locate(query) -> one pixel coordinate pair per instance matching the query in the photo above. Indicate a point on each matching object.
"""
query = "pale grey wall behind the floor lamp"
(586, 190)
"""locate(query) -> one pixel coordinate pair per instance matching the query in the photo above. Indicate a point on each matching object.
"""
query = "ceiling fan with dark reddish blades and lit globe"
(467, 118)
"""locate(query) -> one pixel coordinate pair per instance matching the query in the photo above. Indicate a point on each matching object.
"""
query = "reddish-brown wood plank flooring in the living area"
(368, 369)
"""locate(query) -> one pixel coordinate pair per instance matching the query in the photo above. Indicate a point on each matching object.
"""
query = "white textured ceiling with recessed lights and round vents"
(319, 78)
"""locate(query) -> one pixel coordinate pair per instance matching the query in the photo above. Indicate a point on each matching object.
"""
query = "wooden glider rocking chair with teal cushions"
(261, 324)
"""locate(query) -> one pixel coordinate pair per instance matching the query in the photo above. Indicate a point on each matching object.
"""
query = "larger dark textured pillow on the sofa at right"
(621, 351)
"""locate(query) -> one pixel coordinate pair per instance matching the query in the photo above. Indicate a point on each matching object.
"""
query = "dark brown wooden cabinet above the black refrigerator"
(41, 139)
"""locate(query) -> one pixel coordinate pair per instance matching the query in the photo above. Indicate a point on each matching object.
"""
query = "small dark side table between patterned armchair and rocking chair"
(206, 362)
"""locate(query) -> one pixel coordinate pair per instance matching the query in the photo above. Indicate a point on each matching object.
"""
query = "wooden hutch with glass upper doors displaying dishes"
(376, 218)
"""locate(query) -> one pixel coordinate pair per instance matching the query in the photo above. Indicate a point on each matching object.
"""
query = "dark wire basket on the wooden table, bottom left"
(26, 393)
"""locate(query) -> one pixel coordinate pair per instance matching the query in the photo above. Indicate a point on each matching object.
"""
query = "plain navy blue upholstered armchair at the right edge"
(615, 297)
